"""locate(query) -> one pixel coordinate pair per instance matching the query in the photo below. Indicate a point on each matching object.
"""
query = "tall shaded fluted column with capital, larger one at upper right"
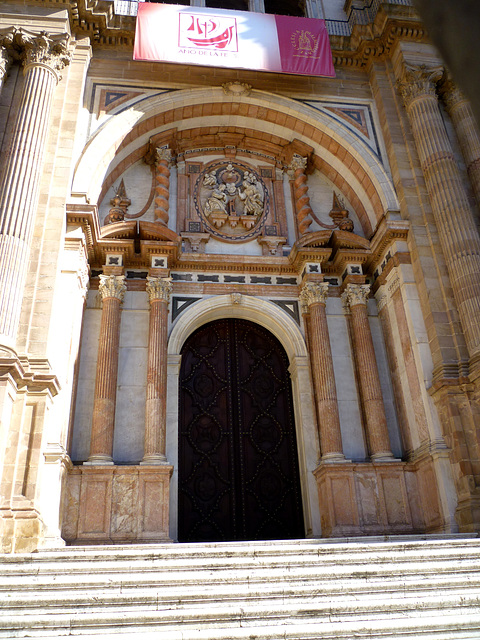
(458, 233)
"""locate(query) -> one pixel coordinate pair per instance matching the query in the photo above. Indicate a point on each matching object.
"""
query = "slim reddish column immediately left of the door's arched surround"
(159, 290)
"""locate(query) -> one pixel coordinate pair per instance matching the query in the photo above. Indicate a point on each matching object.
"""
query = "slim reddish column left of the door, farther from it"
(112, 289)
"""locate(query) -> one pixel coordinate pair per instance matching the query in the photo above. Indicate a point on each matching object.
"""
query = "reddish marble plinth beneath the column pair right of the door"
(361, 499)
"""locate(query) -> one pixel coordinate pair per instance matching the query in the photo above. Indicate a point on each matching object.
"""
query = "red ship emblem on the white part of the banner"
(207, 32)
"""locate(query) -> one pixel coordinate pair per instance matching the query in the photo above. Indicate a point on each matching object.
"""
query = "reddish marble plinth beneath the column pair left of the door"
(117, 504)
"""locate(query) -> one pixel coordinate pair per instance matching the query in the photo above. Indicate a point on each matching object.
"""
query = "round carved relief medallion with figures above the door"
(232, 200)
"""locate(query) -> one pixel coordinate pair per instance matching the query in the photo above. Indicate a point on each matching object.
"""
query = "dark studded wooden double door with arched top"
(238, 464)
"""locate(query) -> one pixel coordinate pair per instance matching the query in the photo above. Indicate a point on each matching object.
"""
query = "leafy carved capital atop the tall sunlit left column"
(45, 50)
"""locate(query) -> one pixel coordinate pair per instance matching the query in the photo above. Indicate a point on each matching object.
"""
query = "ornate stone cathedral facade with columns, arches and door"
(235, 304)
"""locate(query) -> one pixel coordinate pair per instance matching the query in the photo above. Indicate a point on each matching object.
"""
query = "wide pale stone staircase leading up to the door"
(291, 590)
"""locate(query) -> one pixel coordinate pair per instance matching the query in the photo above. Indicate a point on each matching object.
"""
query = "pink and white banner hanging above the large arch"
(235, 39)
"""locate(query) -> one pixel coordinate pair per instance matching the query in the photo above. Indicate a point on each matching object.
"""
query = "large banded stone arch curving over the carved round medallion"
(121, 141)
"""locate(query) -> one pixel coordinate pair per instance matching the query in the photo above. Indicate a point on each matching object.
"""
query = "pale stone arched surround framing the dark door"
(284, 328)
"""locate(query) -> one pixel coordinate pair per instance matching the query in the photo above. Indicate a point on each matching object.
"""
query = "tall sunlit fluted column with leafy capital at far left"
(43, 58)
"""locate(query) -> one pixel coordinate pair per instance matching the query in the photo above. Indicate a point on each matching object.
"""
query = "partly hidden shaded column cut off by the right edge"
(466, 128)
